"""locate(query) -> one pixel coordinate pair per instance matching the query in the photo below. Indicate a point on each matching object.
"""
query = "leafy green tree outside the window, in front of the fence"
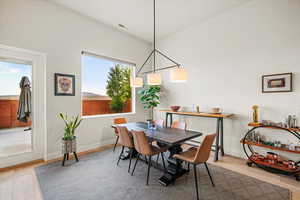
(118, 87)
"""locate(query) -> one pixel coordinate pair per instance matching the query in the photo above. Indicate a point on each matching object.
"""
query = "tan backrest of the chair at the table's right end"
(204, 150)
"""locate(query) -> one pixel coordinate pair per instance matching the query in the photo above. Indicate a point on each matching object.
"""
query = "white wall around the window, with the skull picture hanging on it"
(62, 34)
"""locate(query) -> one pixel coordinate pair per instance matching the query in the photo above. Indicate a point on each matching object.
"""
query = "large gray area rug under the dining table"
(96, 177)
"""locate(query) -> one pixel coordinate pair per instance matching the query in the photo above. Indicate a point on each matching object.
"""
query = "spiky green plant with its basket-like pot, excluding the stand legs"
(69, 138)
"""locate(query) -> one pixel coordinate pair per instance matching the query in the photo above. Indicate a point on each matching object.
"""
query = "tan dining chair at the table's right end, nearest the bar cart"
(198, 155)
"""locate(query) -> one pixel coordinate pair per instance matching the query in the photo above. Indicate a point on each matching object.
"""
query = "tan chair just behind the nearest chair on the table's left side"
(126, 140)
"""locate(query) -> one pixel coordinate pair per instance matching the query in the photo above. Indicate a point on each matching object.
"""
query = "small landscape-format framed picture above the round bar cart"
(277, 83)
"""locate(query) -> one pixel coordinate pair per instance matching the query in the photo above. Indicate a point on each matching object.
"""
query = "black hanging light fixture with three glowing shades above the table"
(178, 73)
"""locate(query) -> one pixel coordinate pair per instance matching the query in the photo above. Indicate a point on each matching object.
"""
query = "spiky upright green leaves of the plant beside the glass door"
(70, 126)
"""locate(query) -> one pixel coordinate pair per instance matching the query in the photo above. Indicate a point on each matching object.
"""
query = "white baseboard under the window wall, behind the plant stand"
(82, 148)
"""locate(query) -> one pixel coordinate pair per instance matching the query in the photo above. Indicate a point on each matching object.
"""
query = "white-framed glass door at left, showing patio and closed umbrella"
(22, 106)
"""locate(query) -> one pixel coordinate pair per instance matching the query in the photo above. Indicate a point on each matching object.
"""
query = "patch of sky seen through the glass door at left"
(10, 77)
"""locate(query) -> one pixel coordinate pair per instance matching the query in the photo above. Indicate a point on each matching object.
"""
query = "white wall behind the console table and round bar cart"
(226, 57)
